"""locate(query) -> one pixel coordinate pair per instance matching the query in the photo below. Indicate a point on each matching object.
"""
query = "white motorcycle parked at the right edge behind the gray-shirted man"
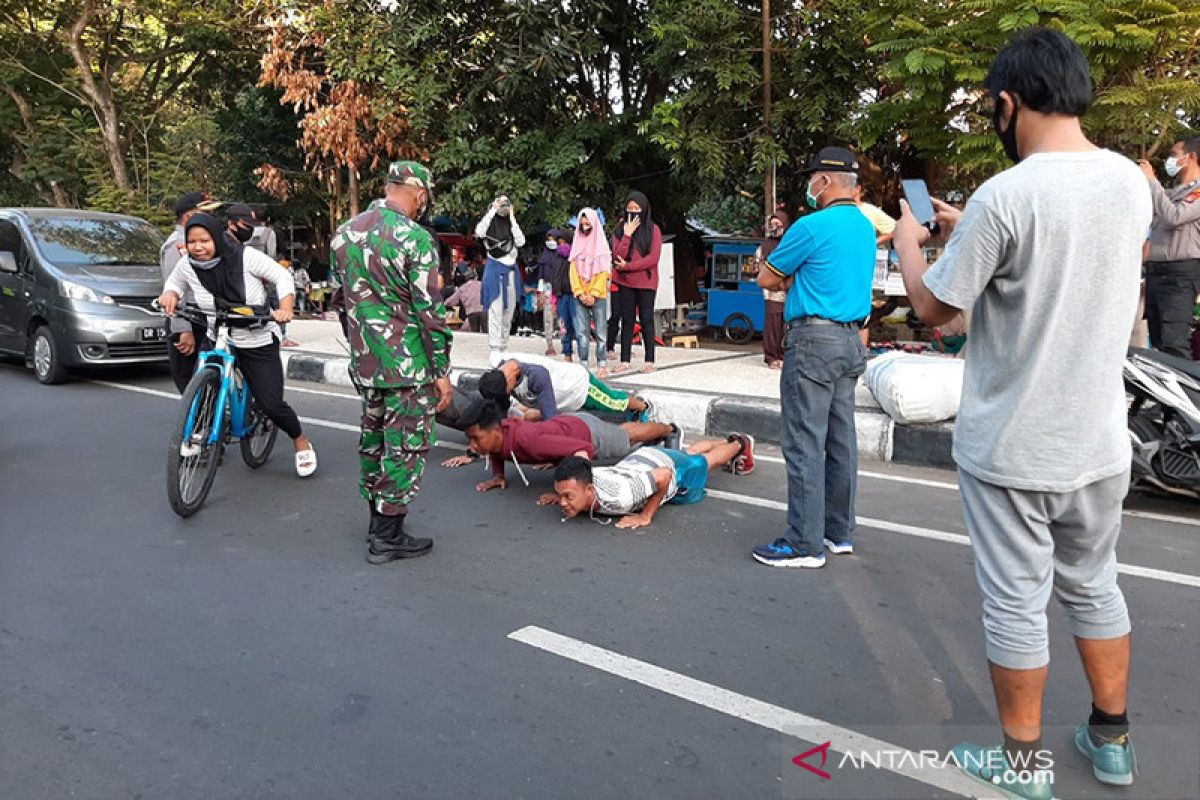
(1165, 422)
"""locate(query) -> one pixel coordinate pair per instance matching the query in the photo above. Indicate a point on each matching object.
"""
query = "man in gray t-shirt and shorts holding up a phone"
(1047, 256)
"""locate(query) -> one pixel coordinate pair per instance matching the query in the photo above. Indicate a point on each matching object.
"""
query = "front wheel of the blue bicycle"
(193, 464)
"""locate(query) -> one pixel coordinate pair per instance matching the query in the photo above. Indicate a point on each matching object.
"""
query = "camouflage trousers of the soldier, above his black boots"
(398, 434)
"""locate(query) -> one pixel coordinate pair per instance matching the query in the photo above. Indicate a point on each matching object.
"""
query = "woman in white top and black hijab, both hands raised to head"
(502, 237)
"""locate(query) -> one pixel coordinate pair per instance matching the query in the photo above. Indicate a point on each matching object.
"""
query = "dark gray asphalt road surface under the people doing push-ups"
(253, 653)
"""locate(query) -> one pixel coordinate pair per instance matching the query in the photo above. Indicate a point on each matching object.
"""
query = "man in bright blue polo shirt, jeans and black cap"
(826, 262)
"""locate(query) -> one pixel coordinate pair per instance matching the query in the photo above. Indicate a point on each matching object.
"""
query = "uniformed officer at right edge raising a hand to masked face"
(1173, 268)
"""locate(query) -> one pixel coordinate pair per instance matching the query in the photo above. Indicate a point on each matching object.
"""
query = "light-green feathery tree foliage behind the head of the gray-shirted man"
(1143, 57)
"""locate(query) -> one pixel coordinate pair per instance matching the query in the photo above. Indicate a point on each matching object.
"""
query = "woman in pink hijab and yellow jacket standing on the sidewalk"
(591, 269)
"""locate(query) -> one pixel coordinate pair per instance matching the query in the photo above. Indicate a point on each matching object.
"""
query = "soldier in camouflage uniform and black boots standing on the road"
(400, 351)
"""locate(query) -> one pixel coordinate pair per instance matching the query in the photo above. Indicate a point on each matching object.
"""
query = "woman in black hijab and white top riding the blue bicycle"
(220, 274)
